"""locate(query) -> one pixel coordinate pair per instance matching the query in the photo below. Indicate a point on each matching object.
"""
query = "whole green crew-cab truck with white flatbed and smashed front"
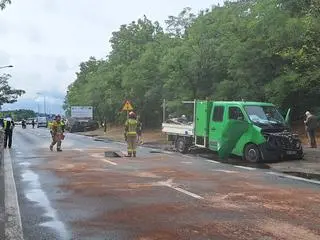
(255, 131)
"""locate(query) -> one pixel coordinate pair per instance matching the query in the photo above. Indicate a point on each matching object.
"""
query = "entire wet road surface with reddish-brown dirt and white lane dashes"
(81, 194)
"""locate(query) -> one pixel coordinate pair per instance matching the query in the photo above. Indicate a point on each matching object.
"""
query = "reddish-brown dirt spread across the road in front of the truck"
(149, 197)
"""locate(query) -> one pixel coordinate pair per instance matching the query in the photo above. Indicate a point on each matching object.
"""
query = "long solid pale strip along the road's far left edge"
(13, 225)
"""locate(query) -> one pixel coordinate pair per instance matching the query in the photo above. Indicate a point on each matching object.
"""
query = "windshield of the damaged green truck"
(264, 115)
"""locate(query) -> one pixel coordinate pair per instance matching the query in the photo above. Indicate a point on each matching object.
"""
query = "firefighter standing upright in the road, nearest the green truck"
(131, 127)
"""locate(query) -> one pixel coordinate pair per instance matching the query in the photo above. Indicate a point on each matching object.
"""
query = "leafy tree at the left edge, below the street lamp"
(7, 94)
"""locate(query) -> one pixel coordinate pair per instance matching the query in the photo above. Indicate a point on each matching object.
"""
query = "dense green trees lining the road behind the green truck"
(261, 50)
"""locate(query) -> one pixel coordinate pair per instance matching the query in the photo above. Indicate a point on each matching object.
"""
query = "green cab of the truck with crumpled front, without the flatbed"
(253, 130)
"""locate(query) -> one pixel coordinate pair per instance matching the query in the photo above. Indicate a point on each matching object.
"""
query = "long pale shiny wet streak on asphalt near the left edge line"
(35, 194)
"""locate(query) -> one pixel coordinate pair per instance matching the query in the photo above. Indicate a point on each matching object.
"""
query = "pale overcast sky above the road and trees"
(46, 40)
